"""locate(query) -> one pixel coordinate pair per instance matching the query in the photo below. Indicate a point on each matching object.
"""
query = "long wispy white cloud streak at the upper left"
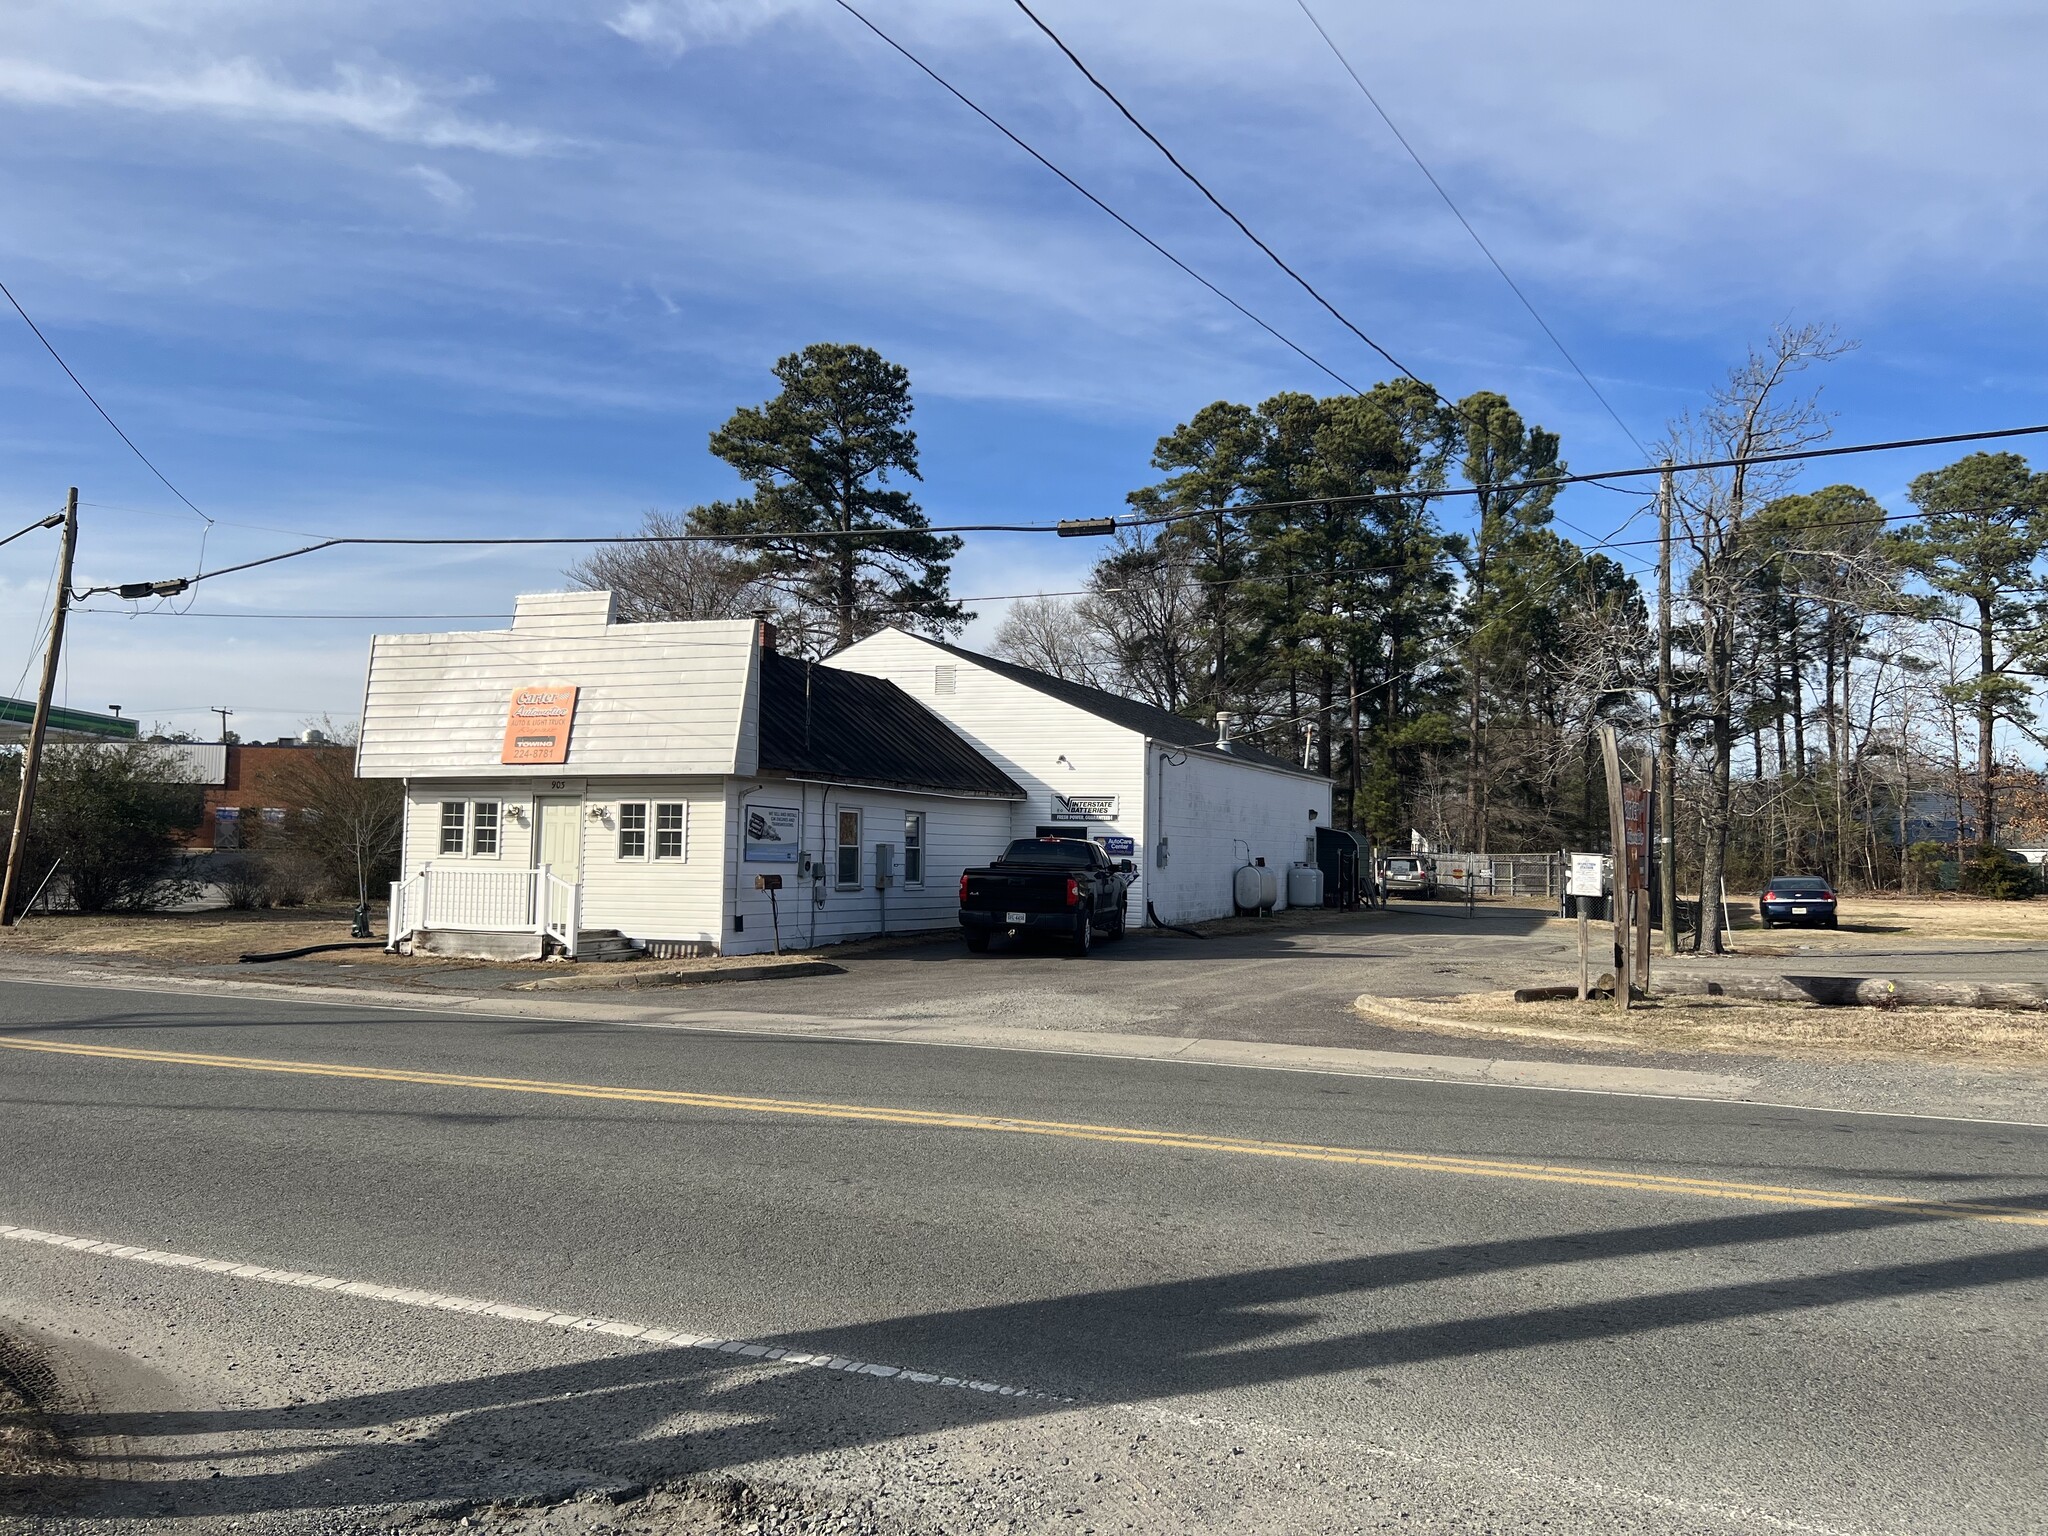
(384, 105)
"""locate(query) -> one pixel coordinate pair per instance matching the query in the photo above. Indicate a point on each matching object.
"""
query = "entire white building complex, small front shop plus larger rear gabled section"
(579, 785)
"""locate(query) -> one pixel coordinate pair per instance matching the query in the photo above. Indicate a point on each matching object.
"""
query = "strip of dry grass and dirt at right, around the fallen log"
(1953, 1035)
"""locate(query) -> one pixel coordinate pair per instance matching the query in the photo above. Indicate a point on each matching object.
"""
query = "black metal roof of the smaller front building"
(835, 724)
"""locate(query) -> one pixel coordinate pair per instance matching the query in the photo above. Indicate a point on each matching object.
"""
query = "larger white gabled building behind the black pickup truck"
(1152, 785)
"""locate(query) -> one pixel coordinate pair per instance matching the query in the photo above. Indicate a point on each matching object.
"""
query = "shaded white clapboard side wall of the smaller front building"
(959, 835)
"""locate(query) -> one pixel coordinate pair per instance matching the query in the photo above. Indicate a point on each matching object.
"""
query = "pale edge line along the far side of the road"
(443, 1009)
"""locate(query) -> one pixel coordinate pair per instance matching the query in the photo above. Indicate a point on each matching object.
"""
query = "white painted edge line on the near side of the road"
(671, 1338)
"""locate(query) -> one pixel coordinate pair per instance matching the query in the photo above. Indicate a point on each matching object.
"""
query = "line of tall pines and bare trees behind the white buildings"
(1381, 587)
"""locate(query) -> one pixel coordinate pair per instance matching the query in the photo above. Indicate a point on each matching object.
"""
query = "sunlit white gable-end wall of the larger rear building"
(1046, 744)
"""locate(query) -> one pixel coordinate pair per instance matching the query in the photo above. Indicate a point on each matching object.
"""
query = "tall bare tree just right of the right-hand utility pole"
(1754, 415)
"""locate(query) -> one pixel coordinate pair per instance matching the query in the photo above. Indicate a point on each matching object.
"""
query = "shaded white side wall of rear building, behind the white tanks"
(1220, 816)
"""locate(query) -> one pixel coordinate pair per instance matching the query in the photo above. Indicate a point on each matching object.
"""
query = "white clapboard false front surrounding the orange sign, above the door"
(652, 699)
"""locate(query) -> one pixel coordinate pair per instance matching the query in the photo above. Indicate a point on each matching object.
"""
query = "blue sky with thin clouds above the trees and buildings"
(374, 267)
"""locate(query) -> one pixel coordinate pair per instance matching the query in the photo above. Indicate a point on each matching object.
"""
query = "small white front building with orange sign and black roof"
(574, 783)
